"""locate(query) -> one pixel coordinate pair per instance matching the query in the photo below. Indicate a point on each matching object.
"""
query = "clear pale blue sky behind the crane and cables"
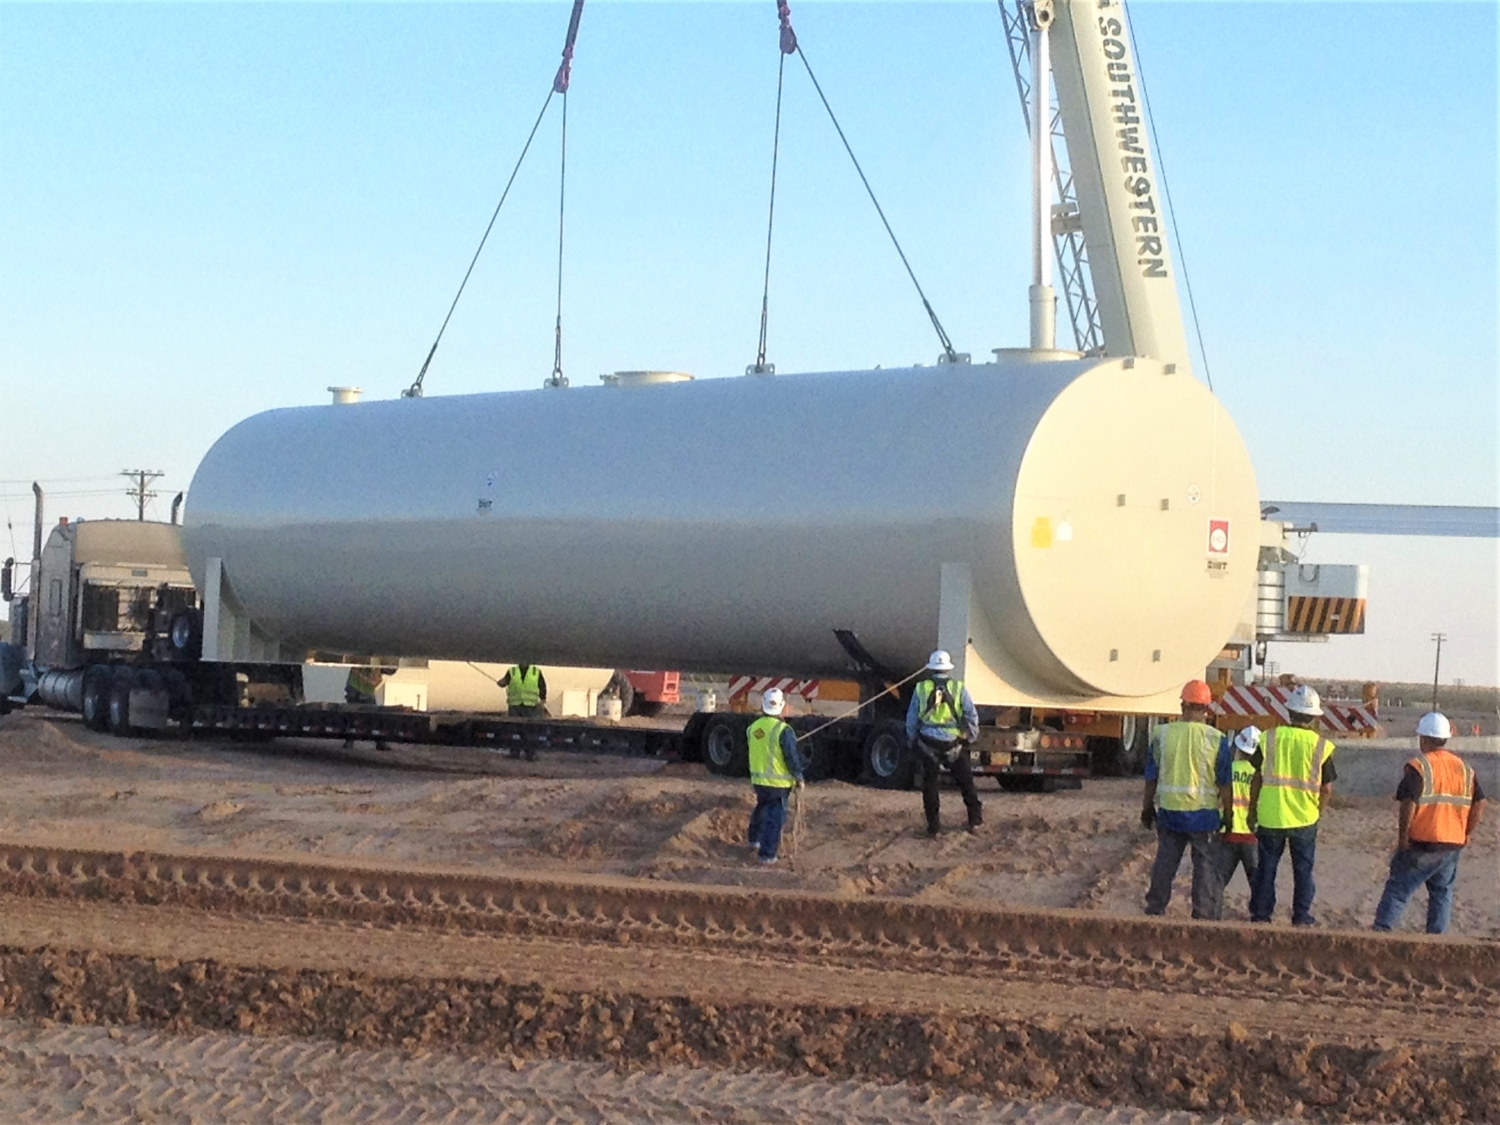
(208, 211)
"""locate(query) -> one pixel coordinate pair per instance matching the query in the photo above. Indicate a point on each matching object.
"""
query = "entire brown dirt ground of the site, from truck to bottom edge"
(200, 931)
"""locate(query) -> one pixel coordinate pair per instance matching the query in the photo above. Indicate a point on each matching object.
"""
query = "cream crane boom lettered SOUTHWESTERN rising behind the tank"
(1118, 184)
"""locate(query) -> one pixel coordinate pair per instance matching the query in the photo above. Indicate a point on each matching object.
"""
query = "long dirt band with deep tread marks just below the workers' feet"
(1397, 974)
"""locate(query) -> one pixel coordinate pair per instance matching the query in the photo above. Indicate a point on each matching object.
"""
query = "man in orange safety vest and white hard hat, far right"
(1442, 805)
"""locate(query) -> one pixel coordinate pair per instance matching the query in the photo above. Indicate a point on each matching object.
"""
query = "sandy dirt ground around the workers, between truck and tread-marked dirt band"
(644, 818)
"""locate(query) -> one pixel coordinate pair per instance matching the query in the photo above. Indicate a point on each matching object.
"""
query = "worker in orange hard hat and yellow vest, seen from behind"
(1181, 802)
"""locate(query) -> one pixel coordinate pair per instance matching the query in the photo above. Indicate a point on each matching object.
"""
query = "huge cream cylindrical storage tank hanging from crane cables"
(1106, 512)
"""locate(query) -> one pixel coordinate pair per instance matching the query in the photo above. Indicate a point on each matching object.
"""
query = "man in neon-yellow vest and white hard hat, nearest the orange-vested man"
(1294, 785)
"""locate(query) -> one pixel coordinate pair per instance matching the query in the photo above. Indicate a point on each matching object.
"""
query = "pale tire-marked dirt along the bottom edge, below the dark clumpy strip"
(94, 1075)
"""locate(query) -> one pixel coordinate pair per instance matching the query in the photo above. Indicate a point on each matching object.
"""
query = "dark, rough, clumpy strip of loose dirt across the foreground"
(974, 1055)
